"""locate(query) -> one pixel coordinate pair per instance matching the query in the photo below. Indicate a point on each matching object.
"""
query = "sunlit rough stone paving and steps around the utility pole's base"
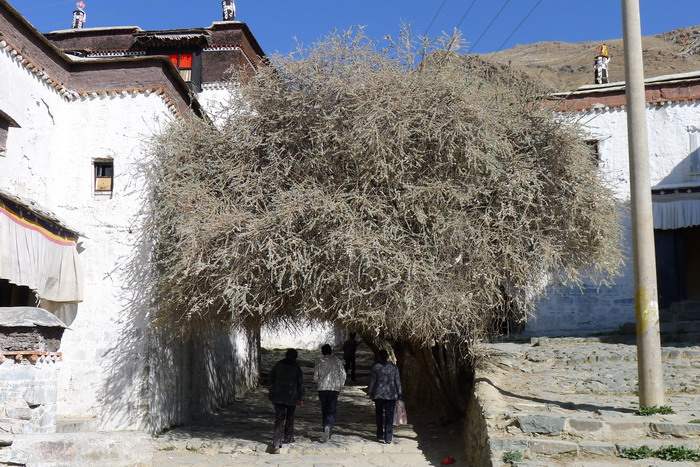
(571, 402)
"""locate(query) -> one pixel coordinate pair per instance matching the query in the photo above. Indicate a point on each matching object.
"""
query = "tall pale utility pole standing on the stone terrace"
(646, 303)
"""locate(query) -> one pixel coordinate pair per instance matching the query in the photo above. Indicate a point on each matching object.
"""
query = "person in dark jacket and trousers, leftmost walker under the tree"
(287, 390)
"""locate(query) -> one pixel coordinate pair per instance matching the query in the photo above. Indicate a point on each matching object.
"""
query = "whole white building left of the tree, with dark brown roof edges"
(73, 134)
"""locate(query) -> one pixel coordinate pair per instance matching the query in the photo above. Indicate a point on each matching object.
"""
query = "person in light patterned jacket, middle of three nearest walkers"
(329, 374)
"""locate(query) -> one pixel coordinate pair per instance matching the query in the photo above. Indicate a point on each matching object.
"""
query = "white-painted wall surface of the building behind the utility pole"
(671, 125)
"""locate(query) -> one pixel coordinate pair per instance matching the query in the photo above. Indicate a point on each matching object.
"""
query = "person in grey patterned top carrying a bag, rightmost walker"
(385, 389)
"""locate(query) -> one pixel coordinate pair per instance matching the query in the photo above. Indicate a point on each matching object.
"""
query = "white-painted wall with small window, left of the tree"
(114, 371)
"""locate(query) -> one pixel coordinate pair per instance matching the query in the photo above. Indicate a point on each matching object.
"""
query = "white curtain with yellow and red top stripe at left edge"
(34, 257)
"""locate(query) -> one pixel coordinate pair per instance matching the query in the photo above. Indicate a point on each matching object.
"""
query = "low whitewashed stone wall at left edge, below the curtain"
(28, 393)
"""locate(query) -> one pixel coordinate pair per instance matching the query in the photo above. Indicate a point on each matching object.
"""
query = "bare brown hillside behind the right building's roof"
(564, 66)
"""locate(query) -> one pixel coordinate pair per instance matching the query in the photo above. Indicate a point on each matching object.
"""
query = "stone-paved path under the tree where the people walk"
(240, 435)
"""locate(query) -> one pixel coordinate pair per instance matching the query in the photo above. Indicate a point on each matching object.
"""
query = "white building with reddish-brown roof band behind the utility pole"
(673, 118)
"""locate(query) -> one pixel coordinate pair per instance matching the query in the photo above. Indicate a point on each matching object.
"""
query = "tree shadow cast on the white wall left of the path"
(154, 379)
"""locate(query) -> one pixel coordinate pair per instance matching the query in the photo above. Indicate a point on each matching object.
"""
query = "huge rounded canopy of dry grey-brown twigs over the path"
(407, 192)
